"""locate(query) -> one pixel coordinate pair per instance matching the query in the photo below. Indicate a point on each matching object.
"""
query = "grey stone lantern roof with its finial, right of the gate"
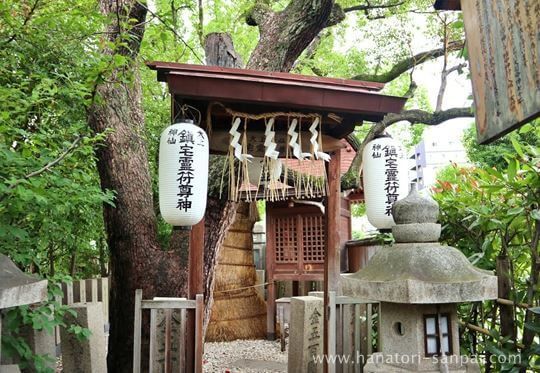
(417, 269)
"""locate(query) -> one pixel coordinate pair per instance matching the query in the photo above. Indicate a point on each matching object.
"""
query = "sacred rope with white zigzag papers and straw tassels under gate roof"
(306, 180)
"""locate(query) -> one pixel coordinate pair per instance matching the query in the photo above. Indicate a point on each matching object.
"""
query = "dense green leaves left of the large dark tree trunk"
(50, 211)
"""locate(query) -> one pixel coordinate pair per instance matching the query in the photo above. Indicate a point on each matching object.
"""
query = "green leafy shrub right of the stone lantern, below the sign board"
(488, 214)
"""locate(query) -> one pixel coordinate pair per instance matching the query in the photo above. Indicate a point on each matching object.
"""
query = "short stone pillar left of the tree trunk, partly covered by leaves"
(87, 356)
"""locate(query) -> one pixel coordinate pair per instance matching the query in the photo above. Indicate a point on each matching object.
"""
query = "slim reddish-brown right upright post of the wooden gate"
(332, 257)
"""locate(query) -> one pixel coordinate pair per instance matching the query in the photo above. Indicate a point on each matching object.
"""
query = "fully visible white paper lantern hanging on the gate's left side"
(183, 173)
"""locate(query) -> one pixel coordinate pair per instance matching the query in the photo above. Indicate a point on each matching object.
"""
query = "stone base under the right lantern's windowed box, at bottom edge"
(379, 363)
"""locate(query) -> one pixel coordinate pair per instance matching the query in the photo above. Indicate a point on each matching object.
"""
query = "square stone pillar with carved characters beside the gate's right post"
(306, 334)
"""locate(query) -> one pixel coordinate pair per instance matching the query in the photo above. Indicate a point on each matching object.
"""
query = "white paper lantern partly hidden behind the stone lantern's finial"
(385, 179)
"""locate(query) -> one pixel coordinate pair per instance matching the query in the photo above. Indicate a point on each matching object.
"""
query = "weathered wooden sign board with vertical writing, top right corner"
(503, 43)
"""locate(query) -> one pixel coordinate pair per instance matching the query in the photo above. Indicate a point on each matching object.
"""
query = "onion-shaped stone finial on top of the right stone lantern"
(416, 219)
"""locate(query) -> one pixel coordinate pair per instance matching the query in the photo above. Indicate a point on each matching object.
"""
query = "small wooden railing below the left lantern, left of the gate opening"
(167, 304)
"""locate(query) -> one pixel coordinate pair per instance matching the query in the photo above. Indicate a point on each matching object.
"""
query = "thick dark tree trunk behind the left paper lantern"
(137, 261)
